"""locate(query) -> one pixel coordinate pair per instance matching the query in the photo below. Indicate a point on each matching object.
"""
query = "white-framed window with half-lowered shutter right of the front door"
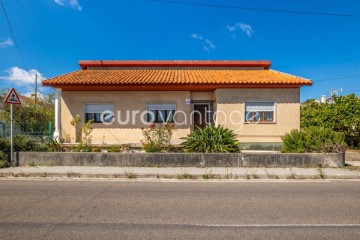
(262, 112)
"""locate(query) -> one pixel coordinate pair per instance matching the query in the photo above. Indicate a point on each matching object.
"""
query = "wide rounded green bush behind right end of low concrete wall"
(313, 139)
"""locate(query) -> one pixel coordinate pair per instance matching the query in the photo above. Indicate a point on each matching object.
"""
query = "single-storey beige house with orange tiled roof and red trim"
(121, 97)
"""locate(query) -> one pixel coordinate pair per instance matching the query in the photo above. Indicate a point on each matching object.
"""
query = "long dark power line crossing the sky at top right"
(255, 9)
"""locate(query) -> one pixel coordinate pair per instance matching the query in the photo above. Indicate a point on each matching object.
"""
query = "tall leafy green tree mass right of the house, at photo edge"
(343, 115)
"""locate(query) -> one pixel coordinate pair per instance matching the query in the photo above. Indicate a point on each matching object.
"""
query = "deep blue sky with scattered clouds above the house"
(53, 35)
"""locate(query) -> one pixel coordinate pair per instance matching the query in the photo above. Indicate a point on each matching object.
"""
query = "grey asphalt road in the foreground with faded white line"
(58, 209)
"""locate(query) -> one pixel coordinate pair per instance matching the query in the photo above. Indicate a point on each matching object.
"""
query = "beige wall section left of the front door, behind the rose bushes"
(73, 103)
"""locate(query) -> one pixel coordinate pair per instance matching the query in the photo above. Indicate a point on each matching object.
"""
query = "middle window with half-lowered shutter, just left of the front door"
(161, 112)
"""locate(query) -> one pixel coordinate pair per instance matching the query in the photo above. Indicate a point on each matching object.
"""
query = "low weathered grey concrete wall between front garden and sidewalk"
(182, 159)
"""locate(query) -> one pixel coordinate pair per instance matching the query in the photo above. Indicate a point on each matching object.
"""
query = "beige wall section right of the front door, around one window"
(230, 105)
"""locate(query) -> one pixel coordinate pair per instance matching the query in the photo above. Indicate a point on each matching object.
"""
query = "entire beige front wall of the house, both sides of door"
(226, 101)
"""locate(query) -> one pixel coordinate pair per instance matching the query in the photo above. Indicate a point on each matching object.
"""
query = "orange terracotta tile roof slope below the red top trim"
(150, 77)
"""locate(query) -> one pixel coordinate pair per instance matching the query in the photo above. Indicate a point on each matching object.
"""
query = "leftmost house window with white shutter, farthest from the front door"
(94, 111)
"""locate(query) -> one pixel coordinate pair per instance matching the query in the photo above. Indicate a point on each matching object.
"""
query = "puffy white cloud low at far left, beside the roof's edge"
(22, 77)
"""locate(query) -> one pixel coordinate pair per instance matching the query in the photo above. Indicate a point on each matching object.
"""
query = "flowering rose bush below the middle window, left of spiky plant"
(157, 137)
